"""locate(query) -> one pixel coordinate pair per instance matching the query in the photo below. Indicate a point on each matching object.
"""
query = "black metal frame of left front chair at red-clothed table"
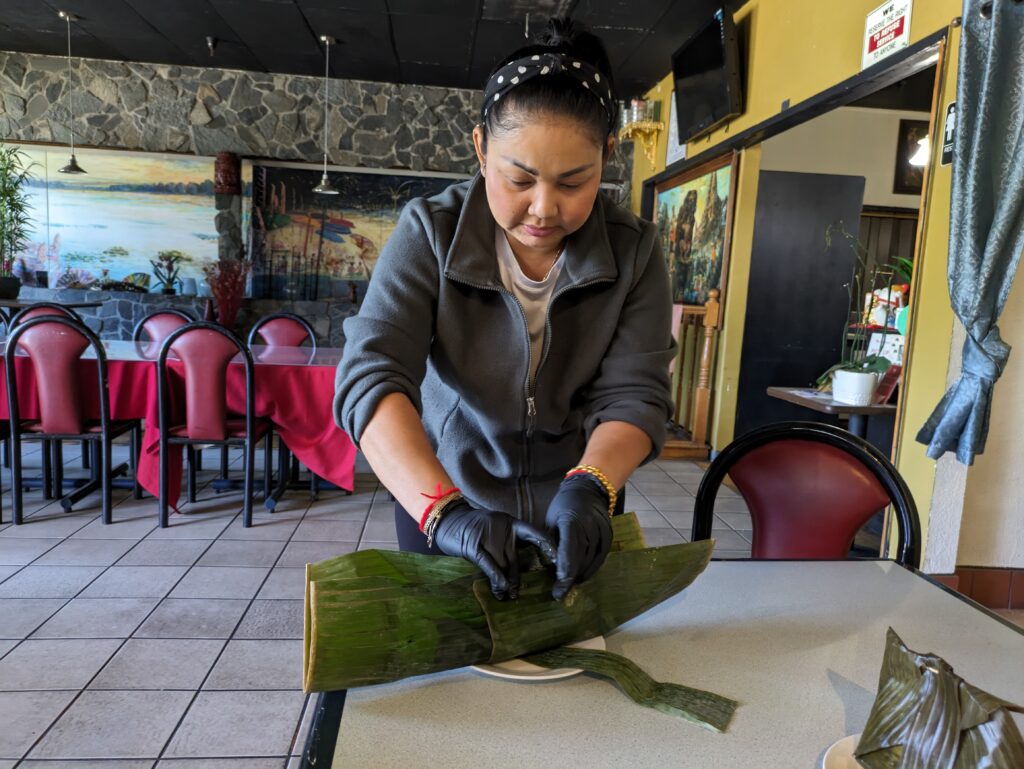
(101, 444)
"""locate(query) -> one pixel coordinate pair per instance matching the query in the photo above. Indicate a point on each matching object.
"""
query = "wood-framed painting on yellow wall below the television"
(694, 215)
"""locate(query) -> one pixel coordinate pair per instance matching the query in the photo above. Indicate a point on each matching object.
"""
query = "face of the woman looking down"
(542, 181)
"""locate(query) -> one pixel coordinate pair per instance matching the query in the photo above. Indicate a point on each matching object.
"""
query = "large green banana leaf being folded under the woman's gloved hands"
(374, 617)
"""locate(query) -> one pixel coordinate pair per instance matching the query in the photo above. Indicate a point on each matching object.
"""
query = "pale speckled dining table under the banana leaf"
(798, 644)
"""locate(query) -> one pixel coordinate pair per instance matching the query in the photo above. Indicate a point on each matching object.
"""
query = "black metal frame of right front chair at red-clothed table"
(248, 442)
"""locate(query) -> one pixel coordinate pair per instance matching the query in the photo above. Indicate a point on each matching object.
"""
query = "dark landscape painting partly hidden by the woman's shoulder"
(310, 246)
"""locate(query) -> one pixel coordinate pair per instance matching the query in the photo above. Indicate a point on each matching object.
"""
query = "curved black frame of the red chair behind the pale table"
(909, 526)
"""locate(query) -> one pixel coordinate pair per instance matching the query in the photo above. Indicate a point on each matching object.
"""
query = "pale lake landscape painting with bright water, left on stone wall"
(109, 224)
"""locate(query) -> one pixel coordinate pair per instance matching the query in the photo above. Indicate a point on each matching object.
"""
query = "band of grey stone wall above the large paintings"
(199, 111)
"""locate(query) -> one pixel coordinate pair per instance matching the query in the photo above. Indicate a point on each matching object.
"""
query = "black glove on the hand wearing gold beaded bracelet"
(579, 517)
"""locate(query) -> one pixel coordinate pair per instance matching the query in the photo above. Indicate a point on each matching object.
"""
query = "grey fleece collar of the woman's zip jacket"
(472, 257)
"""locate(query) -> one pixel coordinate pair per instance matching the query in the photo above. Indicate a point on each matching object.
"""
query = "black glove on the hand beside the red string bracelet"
(489, 540)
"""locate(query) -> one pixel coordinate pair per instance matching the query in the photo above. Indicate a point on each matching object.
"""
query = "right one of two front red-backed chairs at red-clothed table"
(206, 351)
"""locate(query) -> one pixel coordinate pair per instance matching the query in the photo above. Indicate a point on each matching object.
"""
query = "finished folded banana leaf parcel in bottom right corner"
(927, 717)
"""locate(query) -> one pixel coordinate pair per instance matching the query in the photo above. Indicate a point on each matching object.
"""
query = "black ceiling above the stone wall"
(428, 42)
